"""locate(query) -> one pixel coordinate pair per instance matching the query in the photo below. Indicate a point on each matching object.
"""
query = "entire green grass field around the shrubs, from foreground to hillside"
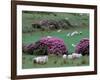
(54, 61)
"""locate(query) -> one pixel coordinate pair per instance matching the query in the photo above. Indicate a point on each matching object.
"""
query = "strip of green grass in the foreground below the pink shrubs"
(54, 61)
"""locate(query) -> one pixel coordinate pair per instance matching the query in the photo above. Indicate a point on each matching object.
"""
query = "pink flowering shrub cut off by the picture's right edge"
(83, 46)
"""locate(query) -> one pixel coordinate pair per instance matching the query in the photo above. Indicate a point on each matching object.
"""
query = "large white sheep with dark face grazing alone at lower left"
(41, 59)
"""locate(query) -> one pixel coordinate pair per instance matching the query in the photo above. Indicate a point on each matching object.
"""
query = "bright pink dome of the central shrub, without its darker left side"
(54, 45)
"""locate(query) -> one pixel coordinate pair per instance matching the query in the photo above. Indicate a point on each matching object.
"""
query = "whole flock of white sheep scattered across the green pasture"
(44, 59)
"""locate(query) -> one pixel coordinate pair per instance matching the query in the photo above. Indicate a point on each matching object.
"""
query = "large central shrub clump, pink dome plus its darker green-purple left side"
(47, 46)
